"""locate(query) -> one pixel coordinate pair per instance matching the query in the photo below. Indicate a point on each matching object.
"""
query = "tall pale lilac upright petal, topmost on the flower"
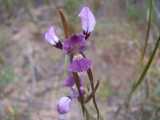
(88, 20)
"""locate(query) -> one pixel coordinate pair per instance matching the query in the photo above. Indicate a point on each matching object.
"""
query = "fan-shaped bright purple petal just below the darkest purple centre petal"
(79, 65)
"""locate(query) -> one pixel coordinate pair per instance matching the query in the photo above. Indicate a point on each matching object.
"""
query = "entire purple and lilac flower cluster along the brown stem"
(74, 46)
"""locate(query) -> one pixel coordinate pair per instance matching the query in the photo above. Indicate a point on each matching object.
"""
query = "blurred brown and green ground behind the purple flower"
(32, 71)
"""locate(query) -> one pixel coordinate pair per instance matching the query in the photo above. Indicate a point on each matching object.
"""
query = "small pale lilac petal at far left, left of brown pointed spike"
(51, 36)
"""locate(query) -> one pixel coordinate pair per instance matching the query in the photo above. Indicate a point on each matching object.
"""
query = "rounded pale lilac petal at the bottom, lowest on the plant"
(64, 105)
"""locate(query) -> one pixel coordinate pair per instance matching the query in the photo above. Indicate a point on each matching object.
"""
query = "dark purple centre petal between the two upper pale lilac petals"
(75, 43)
